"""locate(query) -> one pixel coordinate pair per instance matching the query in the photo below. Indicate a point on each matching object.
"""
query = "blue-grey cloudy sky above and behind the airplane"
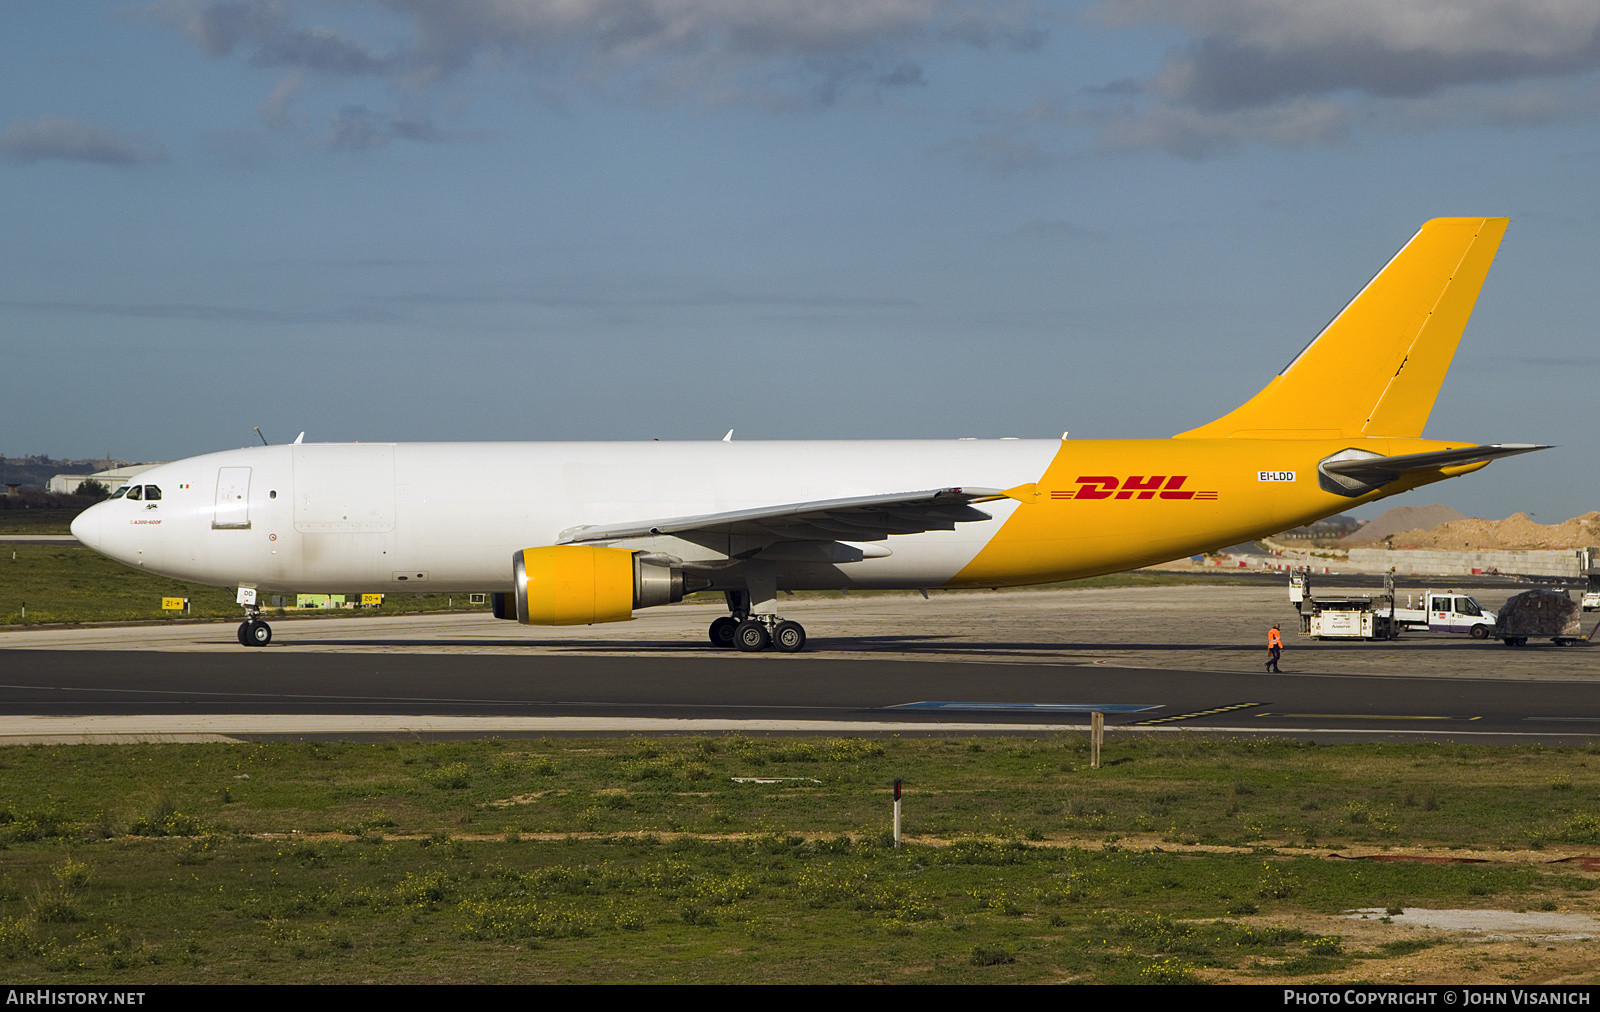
(457, 220)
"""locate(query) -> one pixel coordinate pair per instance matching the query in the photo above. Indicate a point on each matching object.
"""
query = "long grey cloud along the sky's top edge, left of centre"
(711, 50)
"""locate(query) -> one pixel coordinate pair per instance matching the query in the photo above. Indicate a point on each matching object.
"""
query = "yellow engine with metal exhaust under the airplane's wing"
(578, 585)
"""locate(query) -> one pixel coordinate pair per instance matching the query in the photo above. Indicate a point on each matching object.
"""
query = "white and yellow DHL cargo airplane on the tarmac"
(577, 534)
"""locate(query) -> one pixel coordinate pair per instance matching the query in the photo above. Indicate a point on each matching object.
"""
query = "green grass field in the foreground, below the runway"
(644, 861)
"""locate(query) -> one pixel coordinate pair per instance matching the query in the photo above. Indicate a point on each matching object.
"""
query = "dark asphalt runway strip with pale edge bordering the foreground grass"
(84, 696)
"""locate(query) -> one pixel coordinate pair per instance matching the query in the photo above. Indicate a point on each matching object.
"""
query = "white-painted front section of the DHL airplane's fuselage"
(330, 518)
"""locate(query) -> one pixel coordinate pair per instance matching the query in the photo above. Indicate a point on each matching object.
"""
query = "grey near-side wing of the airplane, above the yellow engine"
(870, 518)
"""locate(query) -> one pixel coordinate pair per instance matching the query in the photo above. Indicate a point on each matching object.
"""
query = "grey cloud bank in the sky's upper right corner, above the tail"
(1305, 71)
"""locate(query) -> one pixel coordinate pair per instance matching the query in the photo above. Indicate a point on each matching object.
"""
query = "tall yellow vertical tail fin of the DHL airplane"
(1378, 366)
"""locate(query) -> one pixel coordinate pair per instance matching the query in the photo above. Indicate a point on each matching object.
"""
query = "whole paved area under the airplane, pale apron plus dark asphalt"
(1156, 661)
